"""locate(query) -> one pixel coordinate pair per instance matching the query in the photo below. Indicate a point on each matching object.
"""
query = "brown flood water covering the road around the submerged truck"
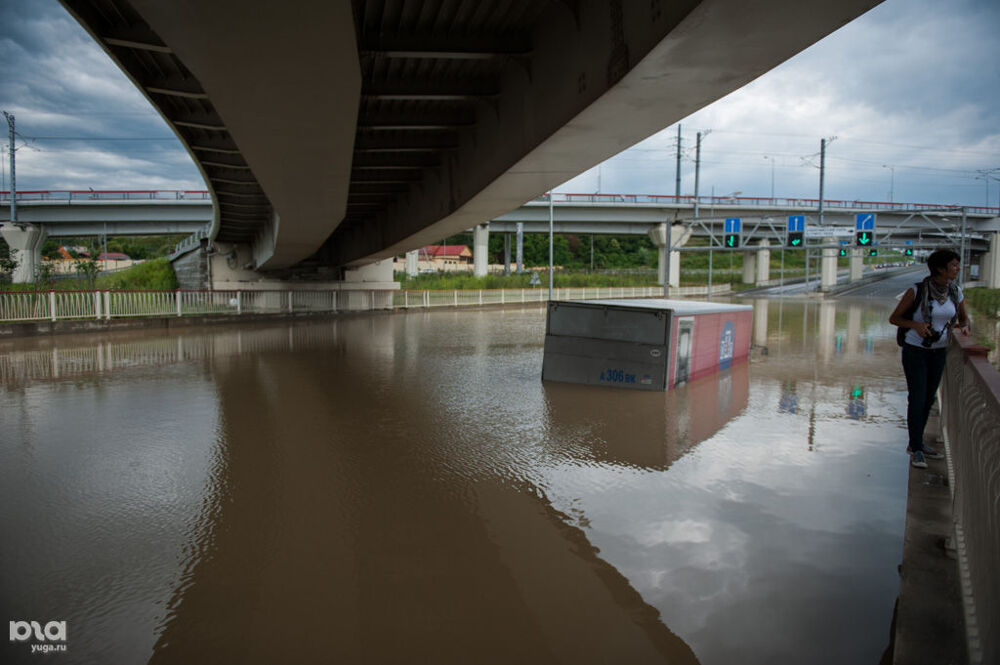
(403, 488)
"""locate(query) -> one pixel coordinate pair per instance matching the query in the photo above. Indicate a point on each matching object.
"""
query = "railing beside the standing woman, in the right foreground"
(970, 410)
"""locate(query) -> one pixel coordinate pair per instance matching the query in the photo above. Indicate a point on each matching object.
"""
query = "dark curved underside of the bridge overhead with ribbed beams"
(336, 135)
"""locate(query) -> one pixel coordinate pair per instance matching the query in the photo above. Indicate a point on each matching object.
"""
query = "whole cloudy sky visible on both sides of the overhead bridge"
(911, 90)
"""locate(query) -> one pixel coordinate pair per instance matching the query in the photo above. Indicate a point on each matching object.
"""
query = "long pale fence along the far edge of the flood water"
(55, 305)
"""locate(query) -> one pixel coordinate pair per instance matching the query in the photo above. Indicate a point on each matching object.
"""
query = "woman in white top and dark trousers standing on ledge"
(928, 310)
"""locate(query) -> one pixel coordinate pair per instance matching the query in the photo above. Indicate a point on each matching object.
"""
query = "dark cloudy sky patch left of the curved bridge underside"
(81, 122)
